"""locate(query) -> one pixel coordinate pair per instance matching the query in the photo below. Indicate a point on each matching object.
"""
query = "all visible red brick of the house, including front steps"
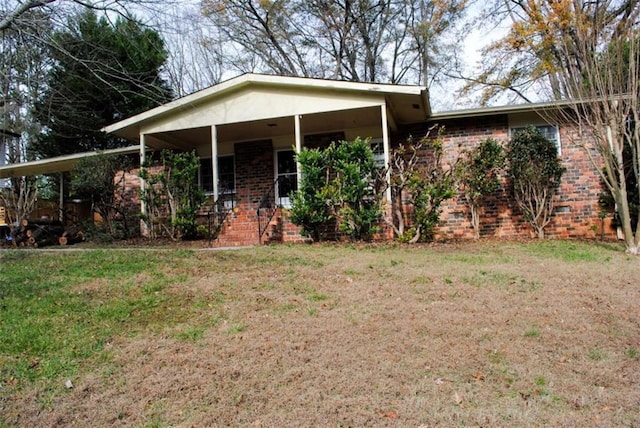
(576, 215)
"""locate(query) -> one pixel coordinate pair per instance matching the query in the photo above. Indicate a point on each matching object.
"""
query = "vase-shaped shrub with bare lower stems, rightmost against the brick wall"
(535, 172)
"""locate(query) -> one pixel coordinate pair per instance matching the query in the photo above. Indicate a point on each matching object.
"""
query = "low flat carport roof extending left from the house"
(58, 164)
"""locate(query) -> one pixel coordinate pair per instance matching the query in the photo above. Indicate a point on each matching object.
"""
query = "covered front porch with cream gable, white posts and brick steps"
(247, 131)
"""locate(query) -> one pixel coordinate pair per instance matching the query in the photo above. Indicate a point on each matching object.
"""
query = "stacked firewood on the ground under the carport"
(44, 232)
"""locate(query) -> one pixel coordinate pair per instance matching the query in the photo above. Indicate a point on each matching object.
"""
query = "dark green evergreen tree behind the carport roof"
(106, 72)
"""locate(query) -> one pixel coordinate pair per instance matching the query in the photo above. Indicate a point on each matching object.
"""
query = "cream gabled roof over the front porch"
(256, 97)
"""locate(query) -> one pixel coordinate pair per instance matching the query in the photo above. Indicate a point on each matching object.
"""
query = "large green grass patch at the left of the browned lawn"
(58, 311)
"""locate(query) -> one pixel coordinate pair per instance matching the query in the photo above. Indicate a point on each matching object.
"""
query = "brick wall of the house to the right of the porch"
(577, 207)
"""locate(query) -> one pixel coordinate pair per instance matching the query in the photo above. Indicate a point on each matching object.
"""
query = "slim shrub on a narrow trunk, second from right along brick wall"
(477, 174)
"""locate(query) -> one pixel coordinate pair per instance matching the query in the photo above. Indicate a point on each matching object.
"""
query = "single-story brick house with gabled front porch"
(247, 130)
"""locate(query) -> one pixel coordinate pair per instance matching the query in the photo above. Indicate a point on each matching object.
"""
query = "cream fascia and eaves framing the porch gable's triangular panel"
(406, 104)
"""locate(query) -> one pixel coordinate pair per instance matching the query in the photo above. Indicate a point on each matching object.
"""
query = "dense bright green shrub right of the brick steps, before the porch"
(341, 182)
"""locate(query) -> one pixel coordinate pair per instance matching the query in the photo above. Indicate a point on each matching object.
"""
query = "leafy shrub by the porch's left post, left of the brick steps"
(173, 196)
